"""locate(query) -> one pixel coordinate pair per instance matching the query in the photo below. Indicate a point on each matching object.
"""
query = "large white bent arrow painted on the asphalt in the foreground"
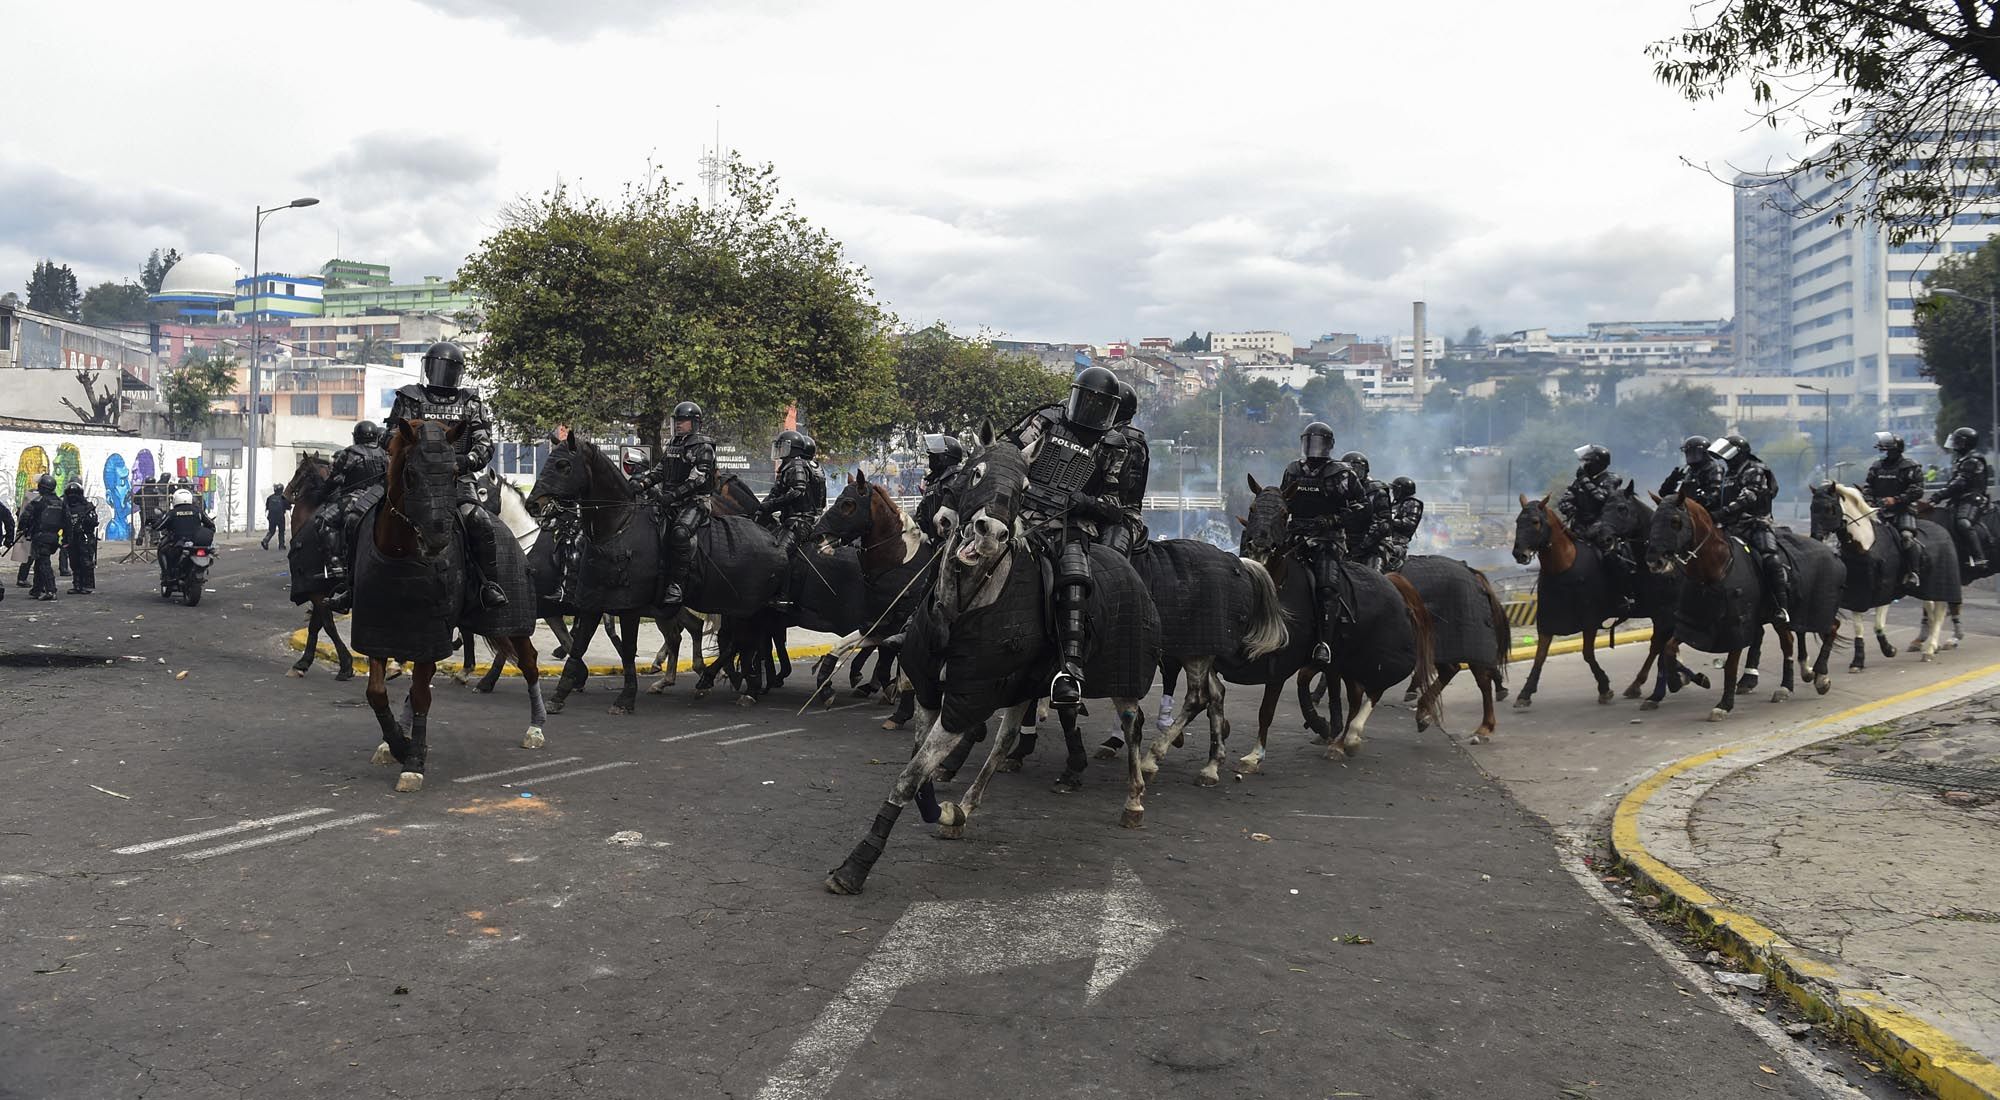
(1115, 927)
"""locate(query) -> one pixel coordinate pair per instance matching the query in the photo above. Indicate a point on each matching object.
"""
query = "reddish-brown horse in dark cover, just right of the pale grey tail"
(1387, 643)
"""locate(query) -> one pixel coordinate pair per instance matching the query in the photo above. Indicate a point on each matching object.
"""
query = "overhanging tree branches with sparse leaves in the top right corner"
(1891, 97)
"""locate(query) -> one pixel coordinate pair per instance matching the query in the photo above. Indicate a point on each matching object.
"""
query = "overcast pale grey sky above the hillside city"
(1069, 171)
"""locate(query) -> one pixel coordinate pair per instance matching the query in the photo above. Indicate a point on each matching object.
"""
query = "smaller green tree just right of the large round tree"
(951, 383)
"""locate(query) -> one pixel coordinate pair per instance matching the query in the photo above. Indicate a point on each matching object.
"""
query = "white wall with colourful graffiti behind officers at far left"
(105, 465)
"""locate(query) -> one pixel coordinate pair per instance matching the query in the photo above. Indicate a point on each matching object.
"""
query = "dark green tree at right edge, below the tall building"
(1953, 337)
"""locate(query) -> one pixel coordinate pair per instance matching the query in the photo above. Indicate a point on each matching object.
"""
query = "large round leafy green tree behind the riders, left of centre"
(609, 313)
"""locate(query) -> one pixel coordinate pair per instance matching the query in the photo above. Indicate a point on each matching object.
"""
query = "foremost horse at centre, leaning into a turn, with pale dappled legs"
(987, 623)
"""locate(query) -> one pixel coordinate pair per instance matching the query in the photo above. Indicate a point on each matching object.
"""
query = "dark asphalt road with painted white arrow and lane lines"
(487, 937)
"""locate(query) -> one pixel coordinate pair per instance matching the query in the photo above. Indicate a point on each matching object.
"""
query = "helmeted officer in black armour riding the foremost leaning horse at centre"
(1069, 451)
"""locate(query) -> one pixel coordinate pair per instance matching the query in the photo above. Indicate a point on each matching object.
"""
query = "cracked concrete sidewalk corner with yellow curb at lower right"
(1853, 861)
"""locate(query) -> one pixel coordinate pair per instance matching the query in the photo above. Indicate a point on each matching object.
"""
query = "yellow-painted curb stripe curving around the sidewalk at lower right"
(1927, 1055)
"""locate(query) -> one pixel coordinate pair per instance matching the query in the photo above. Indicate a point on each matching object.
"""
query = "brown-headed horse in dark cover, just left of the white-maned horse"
(1723, 605)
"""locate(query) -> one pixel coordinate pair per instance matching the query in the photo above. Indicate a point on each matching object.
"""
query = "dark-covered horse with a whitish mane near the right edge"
(1875, 569)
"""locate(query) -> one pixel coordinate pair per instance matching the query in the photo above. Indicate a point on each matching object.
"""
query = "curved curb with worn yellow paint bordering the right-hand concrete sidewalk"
(1923, 1053)
